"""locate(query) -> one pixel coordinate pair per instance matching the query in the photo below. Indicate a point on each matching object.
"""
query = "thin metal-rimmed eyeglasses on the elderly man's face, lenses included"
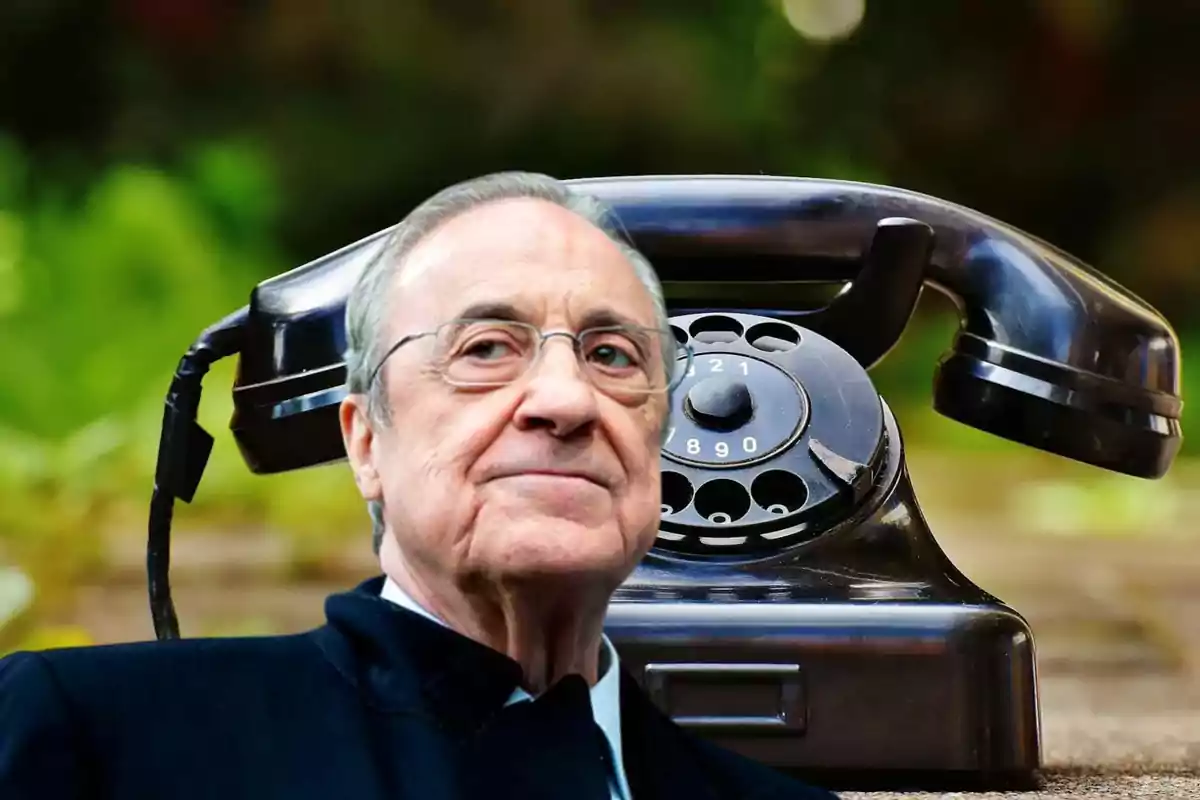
(620, 360)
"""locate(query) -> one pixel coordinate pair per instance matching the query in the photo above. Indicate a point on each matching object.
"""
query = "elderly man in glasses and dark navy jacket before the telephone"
(509, 375)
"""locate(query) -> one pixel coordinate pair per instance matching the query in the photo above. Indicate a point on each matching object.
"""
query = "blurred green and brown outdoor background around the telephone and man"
(160, 158)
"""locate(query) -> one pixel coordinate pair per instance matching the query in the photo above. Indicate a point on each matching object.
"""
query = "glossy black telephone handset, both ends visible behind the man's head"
(1051, 353)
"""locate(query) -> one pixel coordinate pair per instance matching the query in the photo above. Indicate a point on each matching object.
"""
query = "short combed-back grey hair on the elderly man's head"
(367, 310)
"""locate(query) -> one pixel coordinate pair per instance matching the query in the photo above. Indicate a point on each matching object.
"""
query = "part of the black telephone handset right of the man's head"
(1051, 353)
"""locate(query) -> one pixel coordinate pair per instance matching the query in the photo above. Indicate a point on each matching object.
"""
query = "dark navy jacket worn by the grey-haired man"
(374, 706)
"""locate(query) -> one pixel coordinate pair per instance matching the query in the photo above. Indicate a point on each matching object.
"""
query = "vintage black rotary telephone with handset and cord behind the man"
(797, 606)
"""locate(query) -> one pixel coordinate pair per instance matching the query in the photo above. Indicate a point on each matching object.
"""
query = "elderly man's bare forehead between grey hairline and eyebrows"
(526, 260)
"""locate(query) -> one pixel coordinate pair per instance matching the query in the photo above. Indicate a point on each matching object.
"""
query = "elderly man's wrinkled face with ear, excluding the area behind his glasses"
(547, 477)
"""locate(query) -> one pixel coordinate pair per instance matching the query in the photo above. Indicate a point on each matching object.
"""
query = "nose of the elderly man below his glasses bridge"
(559, 395)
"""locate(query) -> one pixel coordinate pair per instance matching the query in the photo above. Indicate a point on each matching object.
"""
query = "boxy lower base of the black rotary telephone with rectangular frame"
(866, 694)
